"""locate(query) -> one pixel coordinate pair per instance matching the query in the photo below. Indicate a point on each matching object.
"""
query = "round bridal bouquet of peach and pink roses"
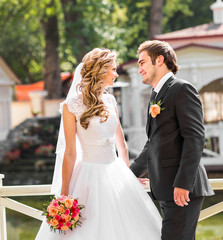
(63, 213)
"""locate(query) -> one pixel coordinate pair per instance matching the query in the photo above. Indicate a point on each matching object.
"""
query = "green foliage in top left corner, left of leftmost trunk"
(21, 41)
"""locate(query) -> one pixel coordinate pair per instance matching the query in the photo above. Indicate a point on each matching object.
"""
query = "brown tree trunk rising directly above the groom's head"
(156, 17)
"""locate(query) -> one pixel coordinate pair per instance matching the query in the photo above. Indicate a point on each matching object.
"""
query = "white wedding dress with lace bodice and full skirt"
(116, 204)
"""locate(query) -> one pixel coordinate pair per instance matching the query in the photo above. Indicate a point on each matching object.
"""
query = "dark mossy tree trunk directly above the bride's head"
(73, 26)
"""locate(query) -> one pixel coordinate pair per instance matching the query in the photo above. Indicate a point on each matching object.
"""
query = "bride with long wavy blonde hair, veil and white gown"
(87, 167)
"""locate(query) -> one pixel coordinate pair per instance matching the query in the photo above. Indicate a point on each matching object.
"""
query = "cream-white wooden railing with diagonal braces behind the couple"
(39, 190)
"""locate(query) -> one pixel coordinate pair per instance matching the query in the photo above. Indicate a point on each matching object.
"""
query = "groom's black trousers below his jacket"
(179, 223)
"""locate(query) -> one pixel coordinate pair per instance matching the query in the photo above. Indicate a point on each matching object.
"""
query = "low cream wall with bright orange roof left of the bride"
(30, 100)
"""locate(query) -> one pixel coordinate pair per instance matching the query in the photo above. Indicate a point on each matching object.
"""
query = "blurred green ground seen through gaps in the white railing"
(21, 227)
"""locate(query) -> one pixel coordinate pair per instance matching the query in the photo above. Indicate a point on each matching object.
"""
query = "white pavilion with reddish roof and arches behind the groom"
(199, 51)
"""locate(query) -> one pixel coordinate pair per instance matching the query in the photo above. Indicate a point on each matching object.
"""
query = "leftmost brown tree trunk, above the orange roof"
(51, 72)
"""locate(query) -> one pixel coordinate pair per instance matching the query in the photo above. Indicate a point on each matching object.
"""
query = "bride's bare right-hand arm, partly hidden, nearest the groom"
(121, 143)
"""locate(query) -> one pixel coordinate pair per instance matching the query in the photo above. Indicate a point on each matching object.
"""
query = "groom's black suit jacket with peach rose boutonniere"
(175, 144)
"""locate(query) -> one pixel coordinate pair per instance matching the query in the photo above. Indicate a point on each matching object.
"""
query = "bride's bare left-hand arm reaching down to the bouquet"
(69, 122)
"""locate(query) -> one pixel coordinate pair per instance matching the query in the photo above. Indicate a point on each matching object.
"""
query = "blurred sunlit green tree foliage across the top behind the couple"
(120, 25)
